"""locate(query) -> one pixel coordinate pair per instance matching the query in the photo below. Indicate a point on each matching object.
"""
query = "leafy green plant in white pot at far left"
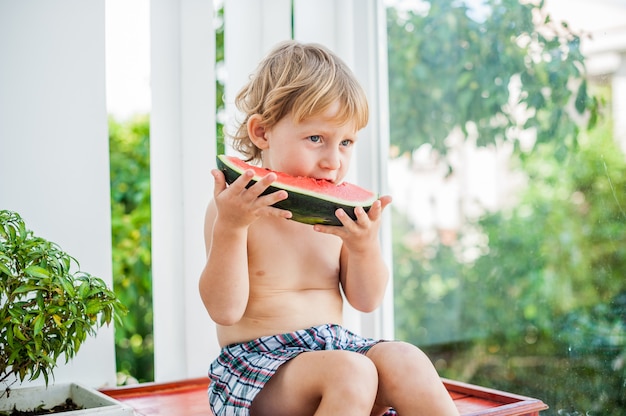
(47, 310)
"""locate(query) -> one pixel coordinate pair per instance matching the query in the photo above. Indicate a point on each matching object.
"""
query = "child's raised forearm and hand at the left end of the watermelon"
(224, 282)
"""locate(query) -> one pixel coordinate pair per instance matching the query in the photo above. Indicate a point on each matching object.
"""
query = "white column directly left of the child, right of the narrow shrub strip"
(182, 154)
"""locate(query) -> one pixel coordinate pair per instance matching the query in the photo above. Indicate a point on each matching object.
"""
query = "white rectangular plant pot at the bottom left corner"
(92, 401)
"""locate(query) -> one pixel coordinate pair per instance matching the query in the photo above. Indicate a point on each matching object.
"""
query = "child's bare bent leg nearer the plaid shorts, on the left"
(330, 382)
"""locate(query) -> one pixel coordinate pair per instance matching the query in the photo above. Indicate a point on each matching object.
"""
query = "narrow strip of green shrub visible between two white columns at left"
(131, 231)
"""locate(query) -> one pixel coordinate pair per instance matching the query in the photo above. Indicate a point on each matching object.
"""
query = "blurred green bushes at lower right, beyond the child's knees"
(543, 311)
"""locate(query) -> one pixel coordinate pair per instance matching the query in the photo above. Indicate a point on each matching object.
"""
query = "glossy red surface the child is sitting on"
(189, 398)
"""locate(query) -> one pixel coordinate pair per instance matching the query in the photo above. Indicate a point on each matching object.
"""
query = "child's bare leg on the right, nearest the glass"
(409, 382)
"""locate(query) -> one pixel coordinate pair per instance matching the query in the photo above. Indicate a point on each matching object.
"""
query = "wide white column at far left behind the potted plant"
(54, 165)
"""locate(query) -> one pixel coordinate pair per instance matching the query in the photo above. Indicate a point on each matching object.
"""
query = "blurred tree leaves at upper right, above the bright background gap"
(493, 72)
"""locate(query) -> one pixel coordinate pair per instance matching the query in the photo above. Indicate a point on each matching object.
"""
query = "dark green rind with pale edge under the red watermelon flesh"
(305, 206)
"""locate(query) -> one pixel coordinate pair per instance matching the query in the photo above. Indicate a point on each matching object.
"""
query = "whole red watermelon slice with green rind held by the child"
(311, 201)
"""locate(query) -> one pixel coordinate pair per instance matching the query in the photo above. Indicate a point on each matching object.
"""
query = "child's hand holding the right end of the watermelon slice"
(358, 235)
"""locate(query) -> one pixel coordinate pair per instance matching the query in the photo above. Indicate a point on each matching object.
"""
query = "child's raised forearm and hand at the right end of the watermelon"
(364, 275)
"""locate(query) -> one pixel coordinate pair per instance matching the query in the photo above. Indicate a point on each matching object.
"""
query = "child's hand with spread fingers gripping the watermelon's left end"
(240, 206)
